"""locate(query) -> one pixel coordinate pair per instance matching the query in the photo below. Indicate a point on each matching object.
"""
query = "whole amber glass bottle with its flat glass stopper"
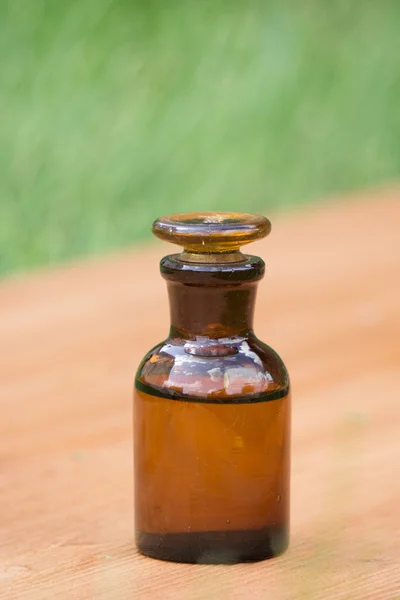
(212, 406)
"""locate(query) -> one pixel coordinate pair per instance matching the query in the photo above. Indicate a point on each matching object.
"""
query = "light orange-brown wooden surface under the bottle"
(71, 339)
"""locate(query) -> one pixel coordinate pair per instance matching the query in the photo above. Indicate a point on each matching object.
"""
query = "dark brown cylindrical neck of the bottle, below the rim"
(213, 311)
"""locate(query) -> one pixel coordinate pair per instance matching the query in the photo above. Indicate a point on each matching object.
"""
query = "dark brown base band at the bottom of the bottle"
(214, 547)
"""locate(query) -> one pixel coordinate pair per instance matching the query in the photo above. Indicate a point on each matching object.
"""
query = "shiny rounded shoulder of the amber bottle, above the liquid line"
(223, 368)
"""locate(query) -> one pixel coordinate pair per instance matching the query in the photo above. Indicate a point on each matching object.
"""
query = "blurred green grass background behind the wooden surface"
(113, 112)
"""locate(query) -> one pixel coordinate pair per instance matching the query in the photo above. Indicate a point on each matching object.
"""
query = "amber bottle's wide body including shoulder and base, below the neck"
(212, 451)
